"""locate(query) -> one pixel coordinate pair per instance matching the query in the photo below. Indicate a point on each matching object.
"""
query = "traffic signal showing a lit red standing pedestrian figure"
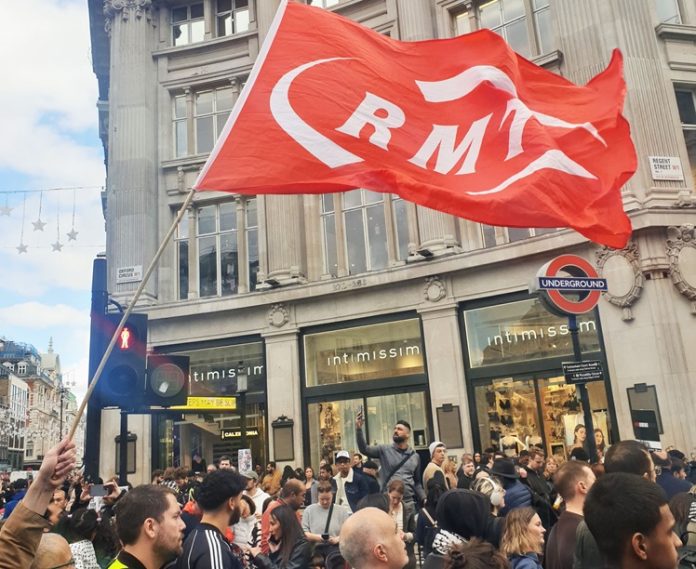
(123, 380)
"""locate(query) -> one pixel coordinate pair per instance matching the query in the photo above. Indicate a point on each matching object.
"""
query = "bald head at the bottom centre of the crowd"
(369, 538)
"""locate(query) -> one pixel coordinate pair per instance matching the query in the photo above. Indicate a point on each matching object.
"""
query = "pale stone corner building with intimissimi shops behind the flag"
(328, 303)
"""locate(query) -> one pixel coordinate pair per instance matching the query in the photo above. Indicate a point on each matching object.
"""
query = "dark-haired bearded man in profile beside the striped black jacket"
(149, 525)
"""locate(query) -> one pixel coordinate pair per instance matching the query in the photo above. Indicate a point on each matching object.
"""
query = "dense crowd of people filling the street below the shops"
(378, 507)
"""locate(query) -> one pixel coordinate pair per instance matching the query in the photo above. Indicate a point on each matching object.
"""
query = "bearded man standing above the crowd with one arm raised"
(398, 460)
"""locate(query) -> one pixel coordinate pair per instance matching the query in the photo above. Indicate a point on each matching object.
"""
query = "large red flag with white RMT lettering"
(461, 125)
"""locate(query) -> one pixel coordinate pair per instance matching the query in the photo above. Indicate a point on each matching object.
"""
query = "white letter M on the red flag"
(443, 138)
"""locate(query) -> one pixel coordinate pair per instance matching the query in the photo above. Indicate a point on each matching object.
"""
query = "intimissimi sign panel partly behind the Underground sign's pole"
(523, 330)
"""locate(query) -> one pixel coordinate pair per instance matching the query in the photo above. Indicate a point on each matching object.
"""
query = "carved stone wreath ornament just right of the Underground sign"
(623, 292)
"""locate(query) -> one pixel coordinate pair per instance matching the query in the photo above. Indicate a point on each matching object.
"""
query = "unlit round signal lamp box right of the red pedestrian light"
(167, 380)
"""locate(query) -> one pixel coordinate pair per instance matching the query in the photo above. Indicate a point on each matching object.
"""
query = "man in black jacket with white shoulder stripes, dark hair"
(218, 498)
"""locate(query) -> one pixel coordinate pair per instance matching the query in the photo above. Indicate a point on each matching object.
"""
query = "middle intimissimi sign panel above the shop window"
(372, 352)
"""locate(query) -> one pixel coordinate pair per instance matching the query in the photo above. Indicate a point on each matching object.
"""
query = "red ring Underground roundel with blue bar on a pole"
(554, 283)
